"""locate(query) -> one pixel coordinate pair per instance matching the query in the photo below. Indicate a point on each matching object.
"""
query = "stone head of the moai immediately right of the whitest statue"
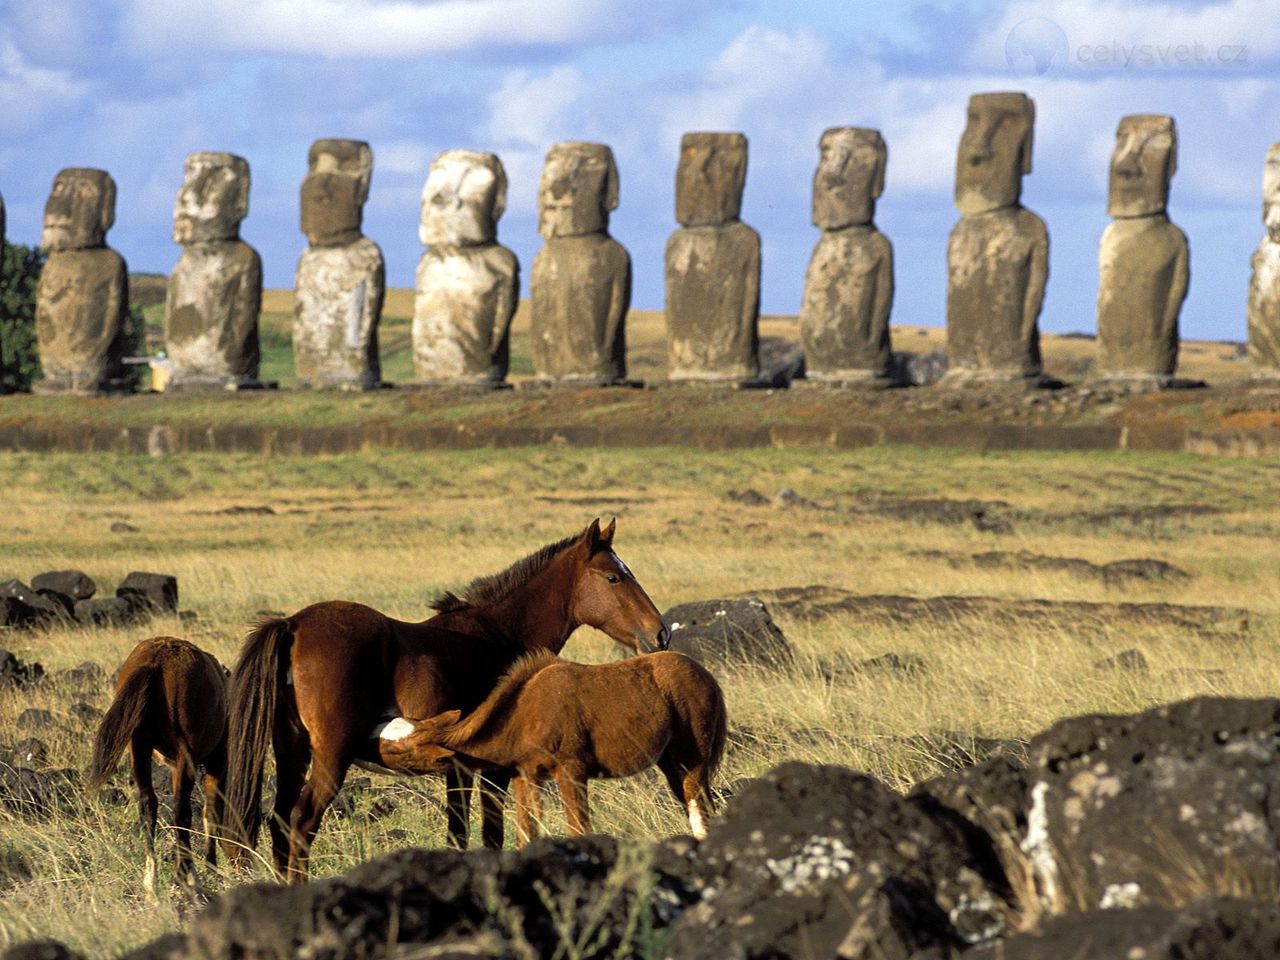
(578, 191)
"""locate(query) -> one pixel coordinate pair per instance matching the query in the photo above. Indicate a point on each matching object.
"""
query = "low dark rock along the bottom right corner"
(1214, 930)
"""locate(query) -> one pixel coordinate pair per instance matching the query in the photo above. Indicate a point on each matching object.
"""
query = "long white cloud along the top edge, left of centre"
(385, 29)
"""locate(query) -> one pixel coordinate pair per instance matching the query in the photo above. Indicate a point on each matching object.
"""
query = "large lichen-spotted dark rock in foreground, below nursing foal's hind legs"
(816, 861)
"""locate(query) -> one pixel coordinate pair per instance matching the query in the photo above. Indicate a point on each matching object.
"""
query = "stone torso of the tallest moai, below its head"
(996, 272)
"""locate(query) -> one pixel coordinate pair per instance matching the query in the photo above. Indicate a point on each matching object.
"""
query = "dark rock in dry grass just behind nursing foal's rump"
(728, 632)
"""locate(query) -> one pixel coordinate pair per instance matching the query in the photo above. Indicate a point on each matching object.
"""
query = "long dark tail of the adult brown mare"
(254, 696)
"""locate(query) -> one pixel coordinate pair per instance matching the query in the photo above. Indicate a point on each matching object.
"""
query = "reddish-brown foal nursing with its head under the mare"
(572, 723)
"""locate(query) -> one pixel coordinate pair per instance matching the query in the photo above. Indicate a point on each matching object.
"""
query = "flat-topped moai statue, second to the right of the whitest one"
(714, 267)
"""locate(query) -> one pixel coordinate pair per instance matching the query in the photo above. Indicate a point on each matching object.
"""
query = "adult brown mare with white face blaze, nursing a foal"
(316, 685)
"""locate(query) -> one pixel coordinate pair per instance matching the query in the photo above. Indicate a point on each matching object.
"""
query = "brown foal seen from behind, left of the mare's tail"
(171, 698)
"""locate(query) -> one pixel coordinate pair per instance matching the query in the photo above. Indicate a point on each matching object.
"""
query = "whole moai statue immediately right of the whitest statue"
(582, 284)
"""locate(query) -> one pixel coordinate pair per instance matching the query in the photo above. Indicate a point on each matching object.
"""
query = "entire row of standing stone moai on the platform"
(468, 284)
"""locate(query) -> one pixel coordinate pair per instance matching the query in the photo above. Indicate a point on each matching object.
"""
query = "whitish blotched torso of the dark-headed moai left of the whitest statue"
(339, 300)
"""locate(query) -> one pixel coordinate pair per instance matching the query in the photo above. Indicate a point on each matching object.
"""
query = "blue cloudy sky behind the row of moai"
(132, 86)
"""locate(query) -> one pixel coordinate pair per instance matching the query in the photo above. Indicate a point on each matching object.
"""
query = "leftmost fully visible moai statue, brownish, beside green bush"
(84, 292)
